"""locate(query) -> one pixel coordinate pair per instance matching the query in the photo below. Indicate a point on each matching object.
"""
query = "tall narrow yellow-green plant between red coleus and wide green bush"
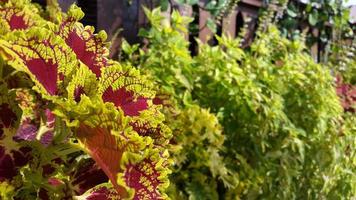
(197, 141)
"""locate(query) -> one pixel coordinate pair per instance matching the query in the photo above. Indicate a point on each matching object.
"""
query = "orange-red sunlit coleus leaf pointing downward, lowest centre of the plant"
(109, 150)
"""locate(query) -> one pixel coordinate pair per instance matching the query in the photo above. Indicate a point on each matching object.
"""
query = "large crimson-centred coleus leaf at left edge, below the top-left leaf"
(43, 55)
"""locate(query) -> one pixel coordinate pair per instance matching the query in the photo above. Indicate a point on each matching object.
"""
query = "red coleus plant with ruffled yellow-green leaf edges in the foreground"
(74, 124)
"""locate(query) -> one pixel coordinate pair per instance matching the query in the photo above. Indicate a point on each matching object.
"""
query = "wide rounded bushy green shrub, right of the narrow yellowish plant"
(280, 115)
